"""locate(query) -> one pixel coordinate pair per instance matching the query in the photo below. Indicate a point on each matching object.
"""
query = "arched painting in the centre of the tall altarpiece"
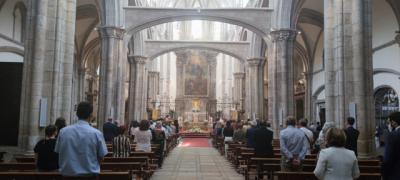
(196, 75)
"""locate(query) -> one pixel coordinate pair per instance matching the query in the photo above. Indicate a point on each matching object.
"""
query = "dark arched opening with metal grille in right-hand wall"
(386, 102)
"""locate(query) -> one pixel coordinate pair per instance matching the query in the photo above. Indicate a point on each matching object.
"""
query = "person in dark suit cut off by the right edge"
(391, 159)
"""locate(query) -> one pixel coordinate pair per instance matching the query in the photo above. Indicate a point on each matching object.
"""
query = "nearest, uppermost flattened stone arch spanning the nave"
(260, 24)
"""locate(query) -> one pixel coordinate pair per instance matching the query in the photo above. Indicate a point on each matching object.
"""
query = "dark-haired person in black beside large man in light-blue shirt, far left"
(45, 157)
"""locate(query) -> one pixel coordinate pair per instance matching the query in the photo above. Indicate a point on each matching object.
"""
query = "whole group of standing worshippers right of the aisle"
(335, 148)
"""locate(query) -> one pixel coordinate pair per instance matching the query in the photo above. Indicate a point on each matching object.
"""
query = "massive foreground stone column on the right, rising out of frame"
(349, 75)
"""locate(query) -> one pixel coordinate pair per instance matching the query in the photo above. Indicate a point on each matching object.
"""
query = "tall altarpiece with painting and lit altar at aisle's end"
(195, 101)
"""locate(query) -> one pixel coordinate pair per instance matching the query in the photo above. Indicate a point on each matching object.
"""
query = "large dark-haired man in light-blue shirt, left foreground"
(81, 147)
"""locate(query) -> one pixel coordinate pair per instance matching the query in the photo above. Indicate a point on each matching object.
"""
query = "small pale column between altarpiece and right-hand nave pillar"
(238, 95)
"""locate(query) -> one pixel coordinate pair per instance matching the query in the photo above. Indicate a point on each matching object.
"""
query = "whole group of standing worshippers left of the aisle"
(77, 150)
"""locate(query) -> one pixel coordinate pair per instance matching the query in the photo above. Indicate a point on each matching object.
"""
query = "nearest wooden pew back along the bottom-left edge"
(57, 176)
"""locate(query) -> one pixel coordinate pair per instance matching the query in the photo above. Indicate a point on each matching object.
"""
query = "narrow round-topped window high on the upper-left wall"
(19, 15)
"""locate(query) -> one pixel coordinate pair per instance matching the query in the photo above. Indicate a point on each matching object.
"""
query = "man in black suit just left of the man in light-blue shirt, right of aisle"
(263, 141)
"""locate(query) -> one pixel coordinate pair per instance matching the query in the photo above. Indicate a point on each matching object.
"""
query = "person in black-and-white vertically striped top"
(121, 144)
